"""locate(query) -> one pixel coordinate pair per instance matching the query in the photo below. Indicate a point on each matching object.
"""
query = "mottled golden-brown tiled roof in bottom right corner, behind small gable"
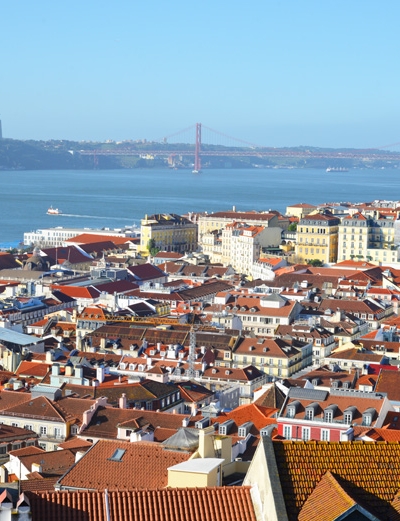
(373, 469)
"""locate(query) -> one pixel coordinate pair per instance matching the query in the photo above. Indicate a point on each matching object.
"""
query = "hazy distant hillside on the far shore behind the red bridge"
(62, 155)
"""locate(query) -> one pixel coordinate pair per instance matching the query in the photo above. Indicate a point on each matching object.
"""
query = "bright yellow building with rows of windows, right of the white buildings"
(317, 237)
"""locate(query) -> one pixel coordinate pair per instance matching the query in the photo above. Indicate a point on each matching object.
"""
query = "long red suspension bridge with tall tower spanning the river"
(194, 142)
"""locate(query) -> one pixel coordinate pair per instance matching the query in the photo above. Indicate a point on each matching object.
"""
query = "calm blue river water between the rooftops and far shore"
(116, 198)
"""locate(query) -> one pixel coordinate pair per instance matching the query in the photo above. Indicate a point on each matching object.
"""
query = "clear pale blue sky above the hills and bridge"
(274, 73)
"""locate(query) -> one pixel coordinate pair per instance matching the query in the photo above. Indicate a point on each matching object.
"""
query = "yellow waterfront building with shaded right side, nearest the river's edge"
(168, 232)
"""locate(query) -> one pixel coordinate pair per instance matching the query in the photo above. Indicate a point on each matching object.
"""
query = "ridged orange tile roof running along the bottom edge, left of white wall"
(216, 504)
